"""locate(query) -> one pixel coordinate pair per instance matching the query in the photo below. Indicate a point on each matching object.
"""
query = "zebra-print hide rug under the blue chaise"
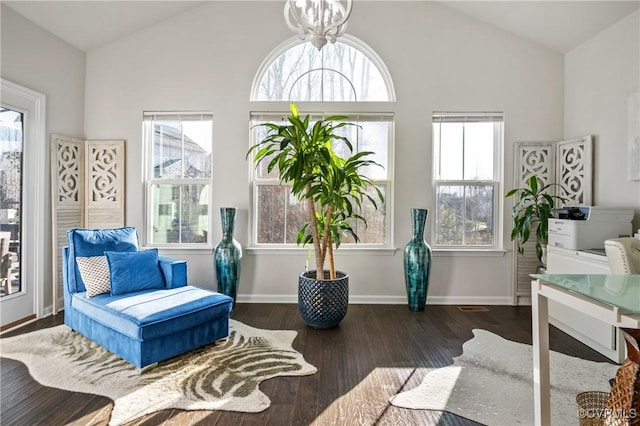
(225, 376)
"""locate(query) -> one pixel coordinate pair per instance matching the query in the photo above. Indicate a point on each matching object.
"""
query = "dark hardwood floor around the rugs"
(376, 351)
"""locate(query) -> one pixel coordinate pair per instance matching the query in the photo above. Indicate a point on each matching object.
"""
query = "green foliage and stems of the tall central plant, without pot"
(333, 187)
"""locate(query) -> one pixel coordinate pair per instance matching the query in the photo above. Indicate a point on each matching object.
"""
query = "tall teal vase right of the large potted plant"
(417, 262)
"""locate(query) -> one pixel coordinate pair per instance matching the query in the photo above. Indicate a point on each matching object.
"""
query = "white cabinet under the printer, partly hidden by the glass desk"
(593, 332)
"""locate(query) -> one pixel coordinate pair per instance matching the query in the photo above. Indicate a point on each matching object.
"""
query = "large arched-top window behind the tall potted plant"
(333, 81)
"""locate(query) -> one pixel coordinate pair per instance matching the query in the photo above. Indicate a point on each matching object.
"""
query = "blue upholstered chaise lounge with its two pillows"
(135, 304)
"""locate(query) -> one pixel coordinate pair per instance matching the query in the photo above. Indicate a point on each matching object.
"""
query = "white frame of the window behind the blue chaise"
(150, 181)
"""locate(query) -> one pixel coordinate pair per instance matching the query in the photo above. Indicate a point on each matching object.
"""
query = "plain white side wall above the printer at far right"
(599, 76)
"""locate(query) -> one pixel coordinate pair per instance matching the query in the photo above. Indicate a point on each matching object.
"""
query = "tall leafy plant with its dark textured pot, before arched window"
(333, 189)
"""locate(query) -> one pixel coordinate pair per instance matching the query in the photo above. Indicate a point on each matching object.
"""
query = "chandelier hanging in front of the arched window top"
(318, 20)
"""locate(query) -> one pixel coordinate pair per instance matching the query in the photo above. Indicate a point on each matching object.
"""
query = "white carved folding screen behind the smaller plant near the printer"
(567, 163)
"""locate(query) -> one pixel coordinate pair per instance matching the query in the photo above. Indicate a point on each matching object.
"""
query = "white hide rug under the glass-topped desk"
(492, 383)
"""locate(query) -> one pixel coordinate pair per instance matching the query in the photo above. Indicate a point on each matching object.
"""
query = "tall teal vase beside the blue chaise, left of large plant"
(228, 255)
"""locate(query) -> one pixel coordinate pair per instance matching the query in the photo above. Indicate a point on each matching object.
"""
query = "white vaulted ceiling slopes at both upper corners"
(558, 25)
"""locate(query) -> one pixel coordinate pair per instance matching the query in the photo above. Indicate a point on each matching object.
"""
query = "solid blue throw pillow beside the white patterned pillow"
(134, 271)
